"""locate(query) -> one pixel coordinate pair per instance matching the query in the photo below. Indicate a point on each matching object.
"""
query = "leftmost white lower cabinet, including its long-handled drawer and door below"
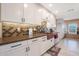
(14, 49)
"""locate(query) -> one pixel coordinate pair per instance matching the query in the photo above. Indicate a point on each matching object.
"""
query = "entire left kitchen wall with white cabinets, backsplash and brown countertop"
(26, 29)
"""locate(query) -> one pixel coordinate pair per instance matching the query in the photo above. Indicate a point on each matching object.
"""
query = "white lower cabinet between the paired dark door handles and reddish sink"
(37, 46)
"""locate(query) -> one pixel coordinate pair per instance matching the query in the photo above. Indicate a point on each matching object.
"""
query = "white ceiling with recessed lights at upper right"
(66, 11)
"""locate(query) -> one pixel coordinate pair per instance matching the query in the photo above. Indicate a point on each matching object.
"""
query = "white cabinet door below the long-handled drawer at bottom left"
(17, 52)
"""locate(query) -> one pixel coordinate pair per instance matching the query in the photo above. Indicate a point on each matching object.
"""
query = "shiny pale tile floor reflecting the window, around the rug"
(69, 47)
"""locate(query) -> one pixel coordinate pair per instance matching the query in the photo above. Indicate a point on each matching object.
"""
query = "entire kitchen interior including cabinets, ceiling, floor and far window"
(39, 29)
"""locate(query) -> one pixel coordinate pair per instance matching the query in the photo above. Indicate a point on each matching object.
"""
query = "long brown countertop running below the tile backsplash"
(8, 40)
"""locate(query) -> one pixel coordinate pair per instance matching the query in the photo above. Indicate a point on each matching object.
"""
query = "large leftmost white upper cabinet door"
(13, 12)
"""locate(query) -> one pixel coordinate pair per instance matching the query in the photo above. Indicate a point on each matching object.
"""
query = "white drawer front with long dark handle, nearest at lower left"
(12, 46)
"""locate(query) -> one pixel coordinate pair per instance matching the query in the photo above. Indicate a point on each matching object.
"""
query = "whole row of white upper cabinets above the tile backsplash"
(25, 13)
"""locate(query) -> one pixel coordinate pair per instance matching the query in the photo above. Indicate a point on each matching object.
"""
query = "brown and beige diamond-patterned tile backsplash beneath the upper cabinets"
(15, 29)
